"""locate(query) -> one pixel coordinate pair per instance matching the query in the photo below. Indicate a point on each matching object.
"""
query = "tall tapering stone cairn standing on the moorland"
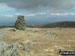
(20, 23)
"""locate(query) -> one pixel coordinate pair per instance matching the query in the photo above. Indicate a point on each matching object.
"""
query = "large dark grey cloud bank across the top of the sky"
(40, 4)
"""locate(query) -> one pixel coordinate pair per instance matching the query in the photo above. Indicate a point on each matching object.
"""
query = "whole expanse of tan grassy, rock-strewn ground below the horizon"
(36, 41)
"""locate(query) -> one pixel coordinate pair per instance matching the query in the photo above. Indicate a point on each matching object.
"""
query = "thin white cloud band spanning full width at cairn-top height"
(40, 14)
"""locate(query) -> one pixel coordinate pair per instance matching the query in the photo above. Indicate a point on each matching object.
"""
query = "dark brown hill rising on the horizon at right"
(64, 24)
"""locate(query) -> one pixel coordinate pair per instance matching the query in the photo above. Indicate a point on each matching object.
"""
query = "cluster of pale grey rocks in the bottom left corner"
(12, 49)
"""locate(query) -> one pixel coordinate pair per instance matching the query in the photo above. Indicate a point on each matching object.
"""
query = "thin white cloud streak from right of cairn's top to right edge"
(50, 14)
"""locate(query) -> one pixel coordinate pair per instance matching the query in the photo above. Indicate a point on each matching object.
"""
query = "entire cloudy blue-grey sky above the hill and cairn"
(37, 12)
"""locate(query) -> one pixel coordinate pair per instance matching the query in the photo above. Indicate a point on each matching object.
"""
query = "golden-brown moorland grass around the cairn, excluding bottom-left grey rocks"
(64, 40)
